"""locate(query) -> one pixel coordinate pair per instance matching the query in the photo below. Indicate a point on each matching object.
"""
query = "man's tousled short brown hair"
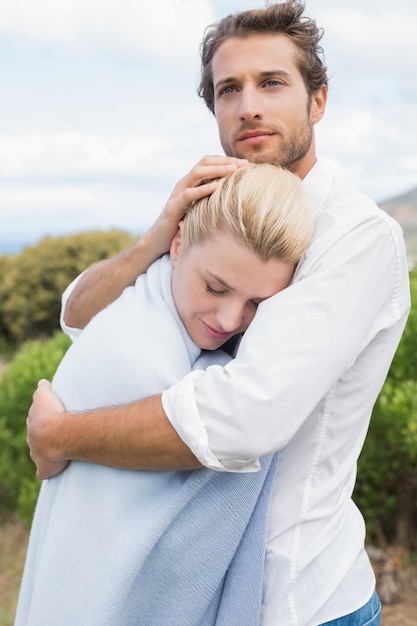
(278, 19)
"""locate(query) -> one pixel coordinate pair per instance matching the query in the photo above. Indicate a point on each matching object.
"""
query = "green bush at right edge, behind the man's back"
(386, 490)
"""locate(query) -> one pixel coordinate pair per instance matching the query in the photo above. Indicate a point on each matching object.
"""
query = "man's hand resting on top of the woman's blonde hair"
(198, 183)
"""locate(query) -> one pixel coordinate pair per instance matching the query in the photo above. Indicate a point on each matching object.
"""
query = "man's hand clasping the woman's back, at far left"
(44, 413)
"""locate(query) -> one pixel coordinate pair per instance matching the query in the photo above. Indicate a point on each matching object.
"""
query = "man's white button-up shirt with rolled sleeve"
(304, 382)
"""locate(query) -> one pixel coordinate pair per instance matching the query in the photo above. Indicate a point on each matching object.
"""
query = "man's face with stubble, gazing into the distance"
(262, 107)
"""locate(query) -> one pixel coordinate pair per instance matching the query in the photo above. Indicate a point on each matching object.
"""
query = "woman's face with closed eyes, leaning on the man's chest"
(218, 284)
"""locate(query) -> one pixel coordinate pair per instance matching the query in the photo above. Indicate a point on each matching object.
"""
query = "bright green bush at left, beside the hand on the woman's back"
(36, 359)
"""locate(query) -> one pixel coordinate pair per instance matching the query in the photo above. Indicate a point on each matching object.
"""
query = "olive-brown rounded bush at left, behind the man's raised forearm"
(32, 282)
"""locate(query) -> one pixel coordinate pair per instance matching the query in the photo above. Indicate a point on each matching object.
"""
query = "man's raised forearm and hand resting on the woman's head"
(104, 281)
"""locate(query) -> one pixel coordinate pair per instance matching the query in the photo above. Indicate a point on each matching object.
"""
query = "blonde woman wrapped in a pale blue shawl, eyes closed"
(119, 547)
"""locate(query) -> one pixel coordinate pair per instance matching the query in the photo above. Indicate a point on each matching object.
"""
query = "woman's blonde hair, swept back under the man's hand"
(262, 205)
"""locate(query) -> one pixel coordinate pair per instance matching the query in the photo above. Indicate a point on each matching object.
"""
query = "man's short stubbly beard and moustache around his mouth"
(287, 153)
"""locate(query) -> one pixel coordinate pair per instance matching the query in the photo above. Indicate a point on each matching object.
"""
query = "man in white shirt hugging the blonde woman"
(307, 372)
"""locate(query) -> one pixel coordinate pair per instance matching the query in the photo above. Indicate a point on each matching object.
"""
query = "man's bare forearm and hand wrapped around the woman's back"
(134, 436)
